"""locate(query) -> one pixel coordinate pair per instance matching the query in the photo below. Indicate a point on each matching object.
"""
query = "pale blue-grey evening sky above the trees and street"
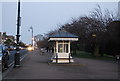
(44, 16)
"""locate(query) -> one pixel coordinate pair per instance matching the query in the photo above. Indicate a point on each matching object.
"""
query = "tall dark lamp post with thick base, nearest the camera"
(17, 54)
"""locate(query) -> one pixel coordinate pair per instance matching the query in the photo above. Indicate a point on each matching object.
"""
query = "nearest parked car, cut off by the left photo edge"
(4, 57)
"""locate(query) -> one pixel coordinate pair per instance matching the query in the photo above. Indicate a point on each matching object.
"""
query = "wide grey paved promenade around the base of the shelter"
(36, 66)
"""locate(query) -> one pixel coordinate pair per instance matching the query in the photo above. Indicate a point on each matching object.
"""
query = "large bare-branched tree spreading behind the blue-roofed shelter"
(91, 30)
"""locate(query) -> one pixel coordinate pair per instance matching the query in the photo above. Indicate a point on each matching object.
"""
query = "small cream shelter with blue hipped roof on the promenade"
(62, 40)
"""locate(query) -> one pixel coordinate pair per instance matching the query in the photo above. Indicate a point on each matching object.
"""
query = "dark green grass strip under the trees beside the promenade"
(82, 54)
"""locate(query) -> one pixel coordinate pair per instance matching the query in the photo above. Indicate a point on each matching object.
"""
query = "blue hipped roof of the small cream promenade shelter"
(63, 34)
